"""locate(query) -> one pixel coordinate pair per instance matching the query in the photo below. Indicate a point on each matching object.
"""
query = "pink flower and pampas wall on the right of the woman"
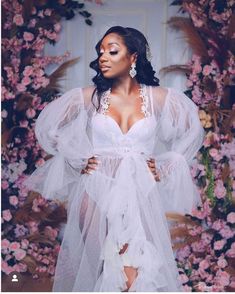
(205, 240)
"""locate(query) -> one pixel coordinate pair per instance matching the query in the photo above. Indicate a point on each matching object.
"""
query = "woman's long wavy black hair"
(135, 42)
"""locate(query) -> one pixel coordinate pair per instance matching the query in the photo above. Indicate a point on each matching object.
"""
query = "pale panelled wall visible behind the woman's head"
(149, 16)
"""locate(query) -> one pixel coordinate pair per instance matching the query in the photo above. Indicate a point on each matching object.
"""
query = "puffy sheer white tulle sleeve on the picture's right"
(178, 139)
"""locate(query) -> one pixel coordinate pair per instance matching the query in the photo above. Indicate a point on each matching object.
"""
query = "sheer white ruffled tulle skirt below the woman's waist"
(119, 204)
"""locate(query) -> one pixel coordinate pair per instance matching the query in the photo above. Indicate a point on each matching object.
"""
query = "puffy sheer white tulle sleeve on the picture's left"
(61, 131)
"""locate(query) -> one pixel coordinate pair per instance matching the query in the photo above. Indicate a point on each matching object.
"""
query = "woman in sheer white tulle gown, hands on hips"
(122, 151)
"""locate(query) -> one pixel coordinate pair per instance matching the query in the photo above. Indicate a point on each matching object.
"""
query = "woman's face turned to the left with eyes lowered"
(114, 58)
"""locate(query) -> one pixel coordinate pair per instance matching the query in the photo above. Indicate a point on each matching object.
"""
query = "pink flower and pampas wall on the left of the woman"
(30, 224)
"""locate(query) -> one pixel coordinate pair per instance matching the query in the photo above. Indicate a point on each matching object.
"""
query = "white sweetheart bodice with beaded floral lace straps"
(108, 137)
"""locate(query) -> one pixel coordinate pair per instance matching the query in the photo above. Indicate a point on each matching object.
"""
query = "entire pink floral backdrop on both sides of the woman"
(31, 225)
